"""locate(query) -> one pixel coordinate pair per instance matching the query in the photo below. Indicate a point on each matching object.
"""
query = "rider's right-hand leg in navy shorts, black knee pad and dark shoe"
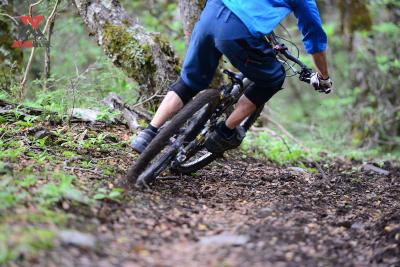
(257, 61)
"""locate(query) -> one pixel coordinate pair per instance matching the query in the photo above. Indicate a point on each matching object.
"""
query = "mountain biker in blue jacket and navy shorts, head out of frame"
(235, 28)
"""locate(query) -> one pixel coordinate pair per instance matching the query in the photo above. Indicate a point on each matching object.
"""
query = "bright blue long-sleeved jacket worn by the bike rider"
(262, 16)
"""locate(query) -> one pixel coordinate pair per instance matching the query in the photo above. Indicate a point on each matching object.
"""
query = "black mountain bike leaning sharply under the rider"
(180, 144)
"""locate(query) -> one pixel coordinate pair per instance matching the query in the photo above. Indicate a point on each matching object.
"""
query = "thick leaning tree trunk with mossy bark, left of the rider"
(145, 57)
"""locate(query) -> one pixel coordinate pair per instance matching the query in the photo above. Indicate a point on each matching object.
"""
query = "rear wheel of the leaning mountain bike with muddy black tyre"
(184, 126)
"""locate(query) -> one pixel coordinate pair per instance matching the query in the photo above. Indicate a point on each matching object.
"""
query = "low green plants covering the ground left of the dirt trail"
(35, 195)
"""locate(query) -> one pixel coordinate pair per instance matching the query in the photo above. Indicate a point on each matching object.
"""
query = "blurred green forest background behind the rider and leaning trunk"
(359, 120)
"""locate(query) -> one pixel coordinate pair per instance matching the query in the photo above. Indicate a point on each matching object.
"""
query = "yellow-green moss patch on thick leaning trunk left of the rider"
(135, 59)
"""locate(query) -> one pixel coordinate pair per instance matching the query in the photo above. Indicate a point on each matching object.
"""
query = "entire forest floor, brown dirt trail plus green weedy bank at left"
(62, 207)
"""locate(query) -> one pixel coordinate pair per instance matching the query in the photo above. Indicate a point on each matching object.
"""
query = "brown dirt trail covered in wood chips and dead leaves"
(242, 212)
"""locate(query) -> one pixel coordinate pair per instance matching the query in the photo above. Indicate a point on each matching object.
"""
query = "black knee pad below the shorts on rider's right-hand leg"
(260, 95)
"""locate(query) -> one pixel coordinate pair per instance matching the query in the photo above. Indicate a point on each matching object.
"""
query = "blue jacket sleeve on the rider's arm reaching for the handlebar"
(310, 25)
